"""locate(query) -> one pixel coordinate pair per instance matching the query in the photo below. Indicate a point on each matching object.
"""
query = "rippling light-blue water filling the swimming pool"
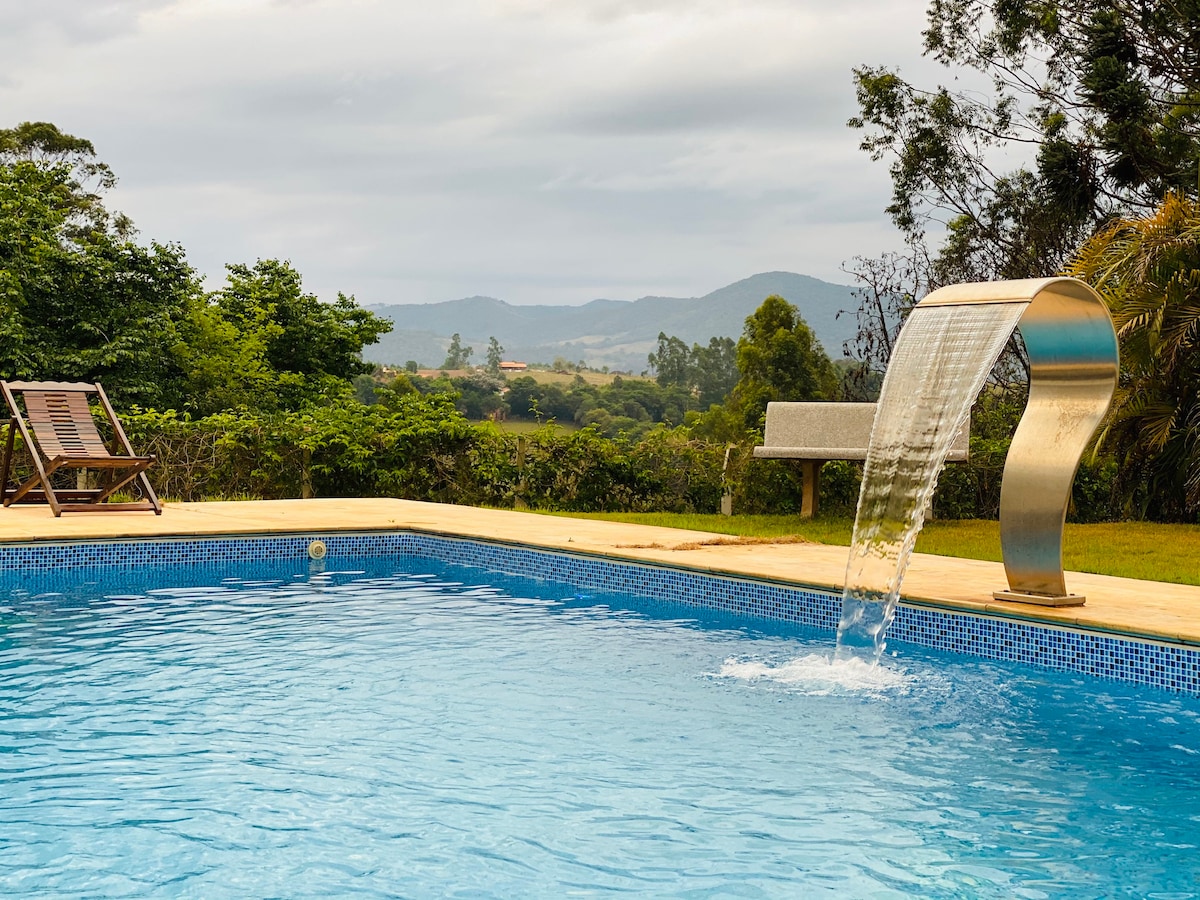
(407, 729)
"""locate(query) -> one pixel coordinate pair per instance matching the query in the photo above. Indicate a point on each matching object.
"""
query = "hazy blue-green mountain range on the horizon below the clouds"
(620, 334)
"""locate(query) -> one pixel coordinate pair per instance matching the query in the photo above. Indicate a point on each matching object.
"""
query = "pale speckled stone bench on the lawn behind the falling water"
(815, 434)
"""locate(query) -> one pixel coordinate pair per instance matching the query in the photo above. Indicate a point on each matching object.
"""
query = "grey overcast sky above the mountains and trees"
(422, 151)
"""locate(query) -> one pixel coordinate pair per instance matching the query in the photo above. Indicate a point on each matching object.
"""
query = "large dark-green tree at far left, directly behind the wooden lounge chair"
(80, 302)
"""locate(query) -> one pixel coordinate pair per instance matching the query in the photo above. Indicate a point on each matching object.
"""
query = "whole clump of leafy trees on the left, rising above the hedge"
(80, 301)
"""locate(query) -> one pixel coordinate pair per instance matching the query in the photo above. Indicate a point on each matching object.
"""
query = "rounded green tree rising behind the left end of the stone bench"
(779, 359)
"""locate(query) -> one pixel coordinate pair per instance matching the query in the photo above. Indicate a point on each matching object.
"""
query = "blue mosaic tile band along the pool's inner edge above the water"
(1174, 668)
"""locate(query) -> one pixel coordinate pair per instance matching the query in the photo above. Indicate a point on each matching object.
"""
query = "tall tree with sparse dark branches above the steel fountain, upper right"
(1103, 94)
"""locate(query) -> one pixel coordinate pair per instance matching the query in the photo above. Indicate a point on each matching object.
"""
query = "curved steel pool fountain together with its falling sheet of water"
(939, 367)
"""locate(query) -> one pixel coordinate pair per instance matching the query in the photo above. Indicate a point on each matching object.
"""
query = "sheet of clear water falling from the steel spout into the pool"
(938, 368)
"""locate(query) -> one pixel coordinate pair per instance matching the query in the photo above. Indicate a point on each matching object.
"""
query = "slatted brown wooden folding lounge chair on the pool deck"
(58, 429)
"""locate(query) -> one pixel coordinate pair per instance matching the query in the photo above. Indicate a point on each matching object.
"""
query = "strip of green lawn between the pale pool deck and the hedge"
(1131, 550)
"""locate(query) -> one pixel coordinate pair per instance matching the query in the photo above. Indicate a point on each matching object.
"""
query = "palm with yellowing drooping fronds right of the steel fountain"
(1149, 272)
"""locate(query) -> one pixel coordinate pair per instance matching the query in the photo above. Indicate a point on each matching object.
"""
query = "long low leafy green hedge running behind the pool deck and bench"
(422, 448)
